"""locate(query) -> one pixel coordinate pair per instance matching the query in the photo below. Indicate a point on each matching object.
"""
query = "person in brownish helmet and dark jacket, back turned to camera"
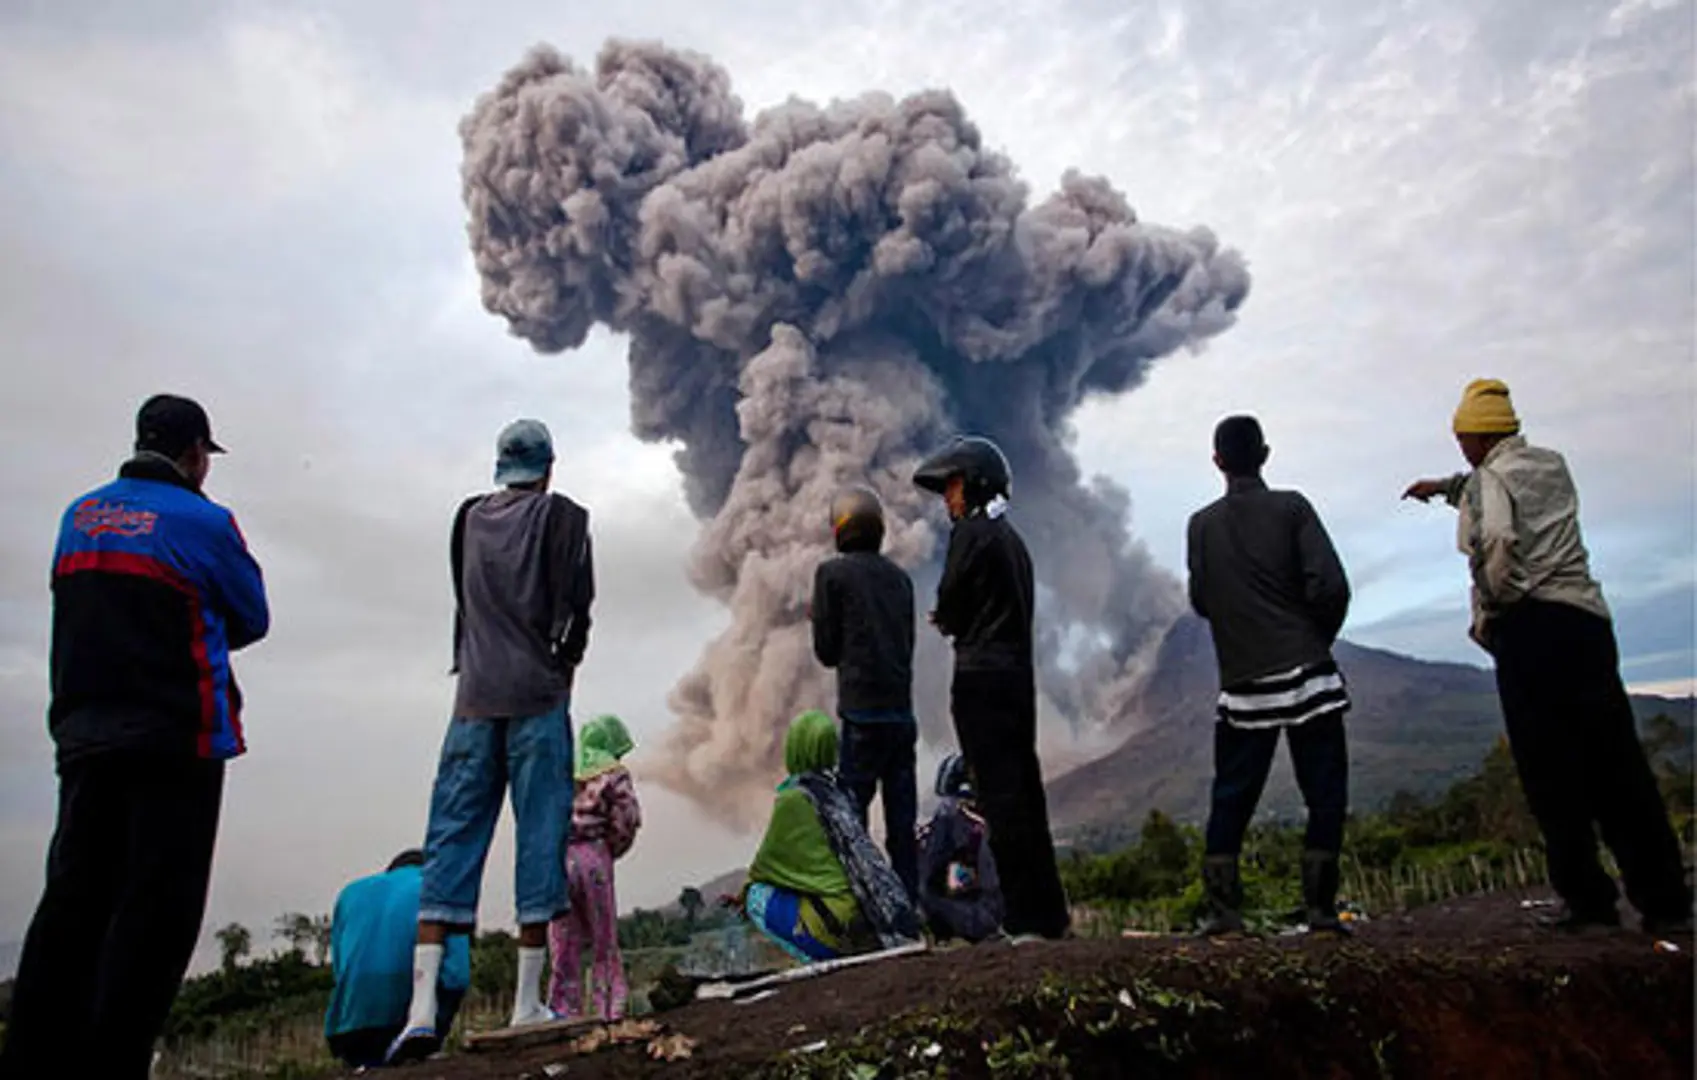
(863, 626)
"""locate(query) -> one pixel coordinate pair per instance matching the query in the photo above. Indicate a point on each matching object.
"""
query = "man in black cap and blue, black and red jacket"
(154, 590)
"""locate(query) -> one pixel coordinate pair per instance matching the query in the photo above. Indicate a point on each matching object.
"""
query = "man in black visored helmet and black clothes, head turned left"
(985, 607)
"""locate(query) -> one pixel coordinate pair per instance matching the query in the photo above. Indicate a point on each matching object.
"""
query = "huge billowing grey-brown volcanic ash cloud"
(817, 298)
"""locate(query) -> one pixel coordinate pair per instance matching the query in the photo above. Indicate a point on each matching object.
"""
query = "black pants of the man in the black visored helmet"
(995, 717)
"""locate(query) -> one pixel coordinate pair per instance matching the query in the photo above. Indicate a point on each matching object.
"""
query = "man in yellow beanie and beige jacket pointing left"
(1542, 616)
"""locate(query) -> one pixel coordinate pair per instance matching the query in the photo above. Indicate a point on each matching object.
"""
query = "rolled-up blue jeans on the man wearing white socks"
(479, 762)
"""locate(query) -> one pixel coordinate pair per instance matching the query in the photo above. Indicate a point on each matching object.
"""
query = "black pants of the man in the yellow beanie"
(1582, 768)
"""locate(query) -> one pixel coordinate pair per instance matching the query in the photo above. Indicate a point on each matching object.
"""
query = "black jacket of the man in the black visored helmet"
(987, 595)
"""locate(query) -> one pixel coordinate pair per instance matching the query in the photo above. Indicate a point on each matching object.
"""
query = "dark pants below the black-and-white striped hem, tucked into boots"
(1241, 765)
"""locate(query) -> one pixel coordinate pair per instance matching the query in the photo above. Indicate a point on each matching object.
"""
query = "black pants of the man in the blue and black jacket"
(120, 916)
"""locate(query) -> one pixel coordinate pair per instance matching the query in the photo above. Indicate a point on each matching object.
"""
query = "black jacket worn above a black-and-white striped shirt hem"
(1269, 580)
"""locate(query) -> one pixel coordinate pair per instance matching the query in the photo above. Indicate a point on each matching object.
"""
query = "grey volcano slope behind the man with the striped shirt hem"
(1416, 726)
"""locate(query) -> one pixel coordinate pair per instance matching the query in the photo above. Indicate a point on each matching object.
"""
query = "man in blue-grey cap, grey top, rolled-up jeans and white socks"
(524, 588)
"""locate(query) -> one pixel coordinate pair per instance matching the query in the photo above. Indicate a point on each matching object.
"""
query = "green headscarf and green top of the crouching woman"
(797, 853)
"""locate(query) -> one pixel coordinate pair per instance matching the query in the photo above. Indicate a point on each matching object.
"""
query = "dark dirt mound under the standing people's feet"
(1467, 989)
